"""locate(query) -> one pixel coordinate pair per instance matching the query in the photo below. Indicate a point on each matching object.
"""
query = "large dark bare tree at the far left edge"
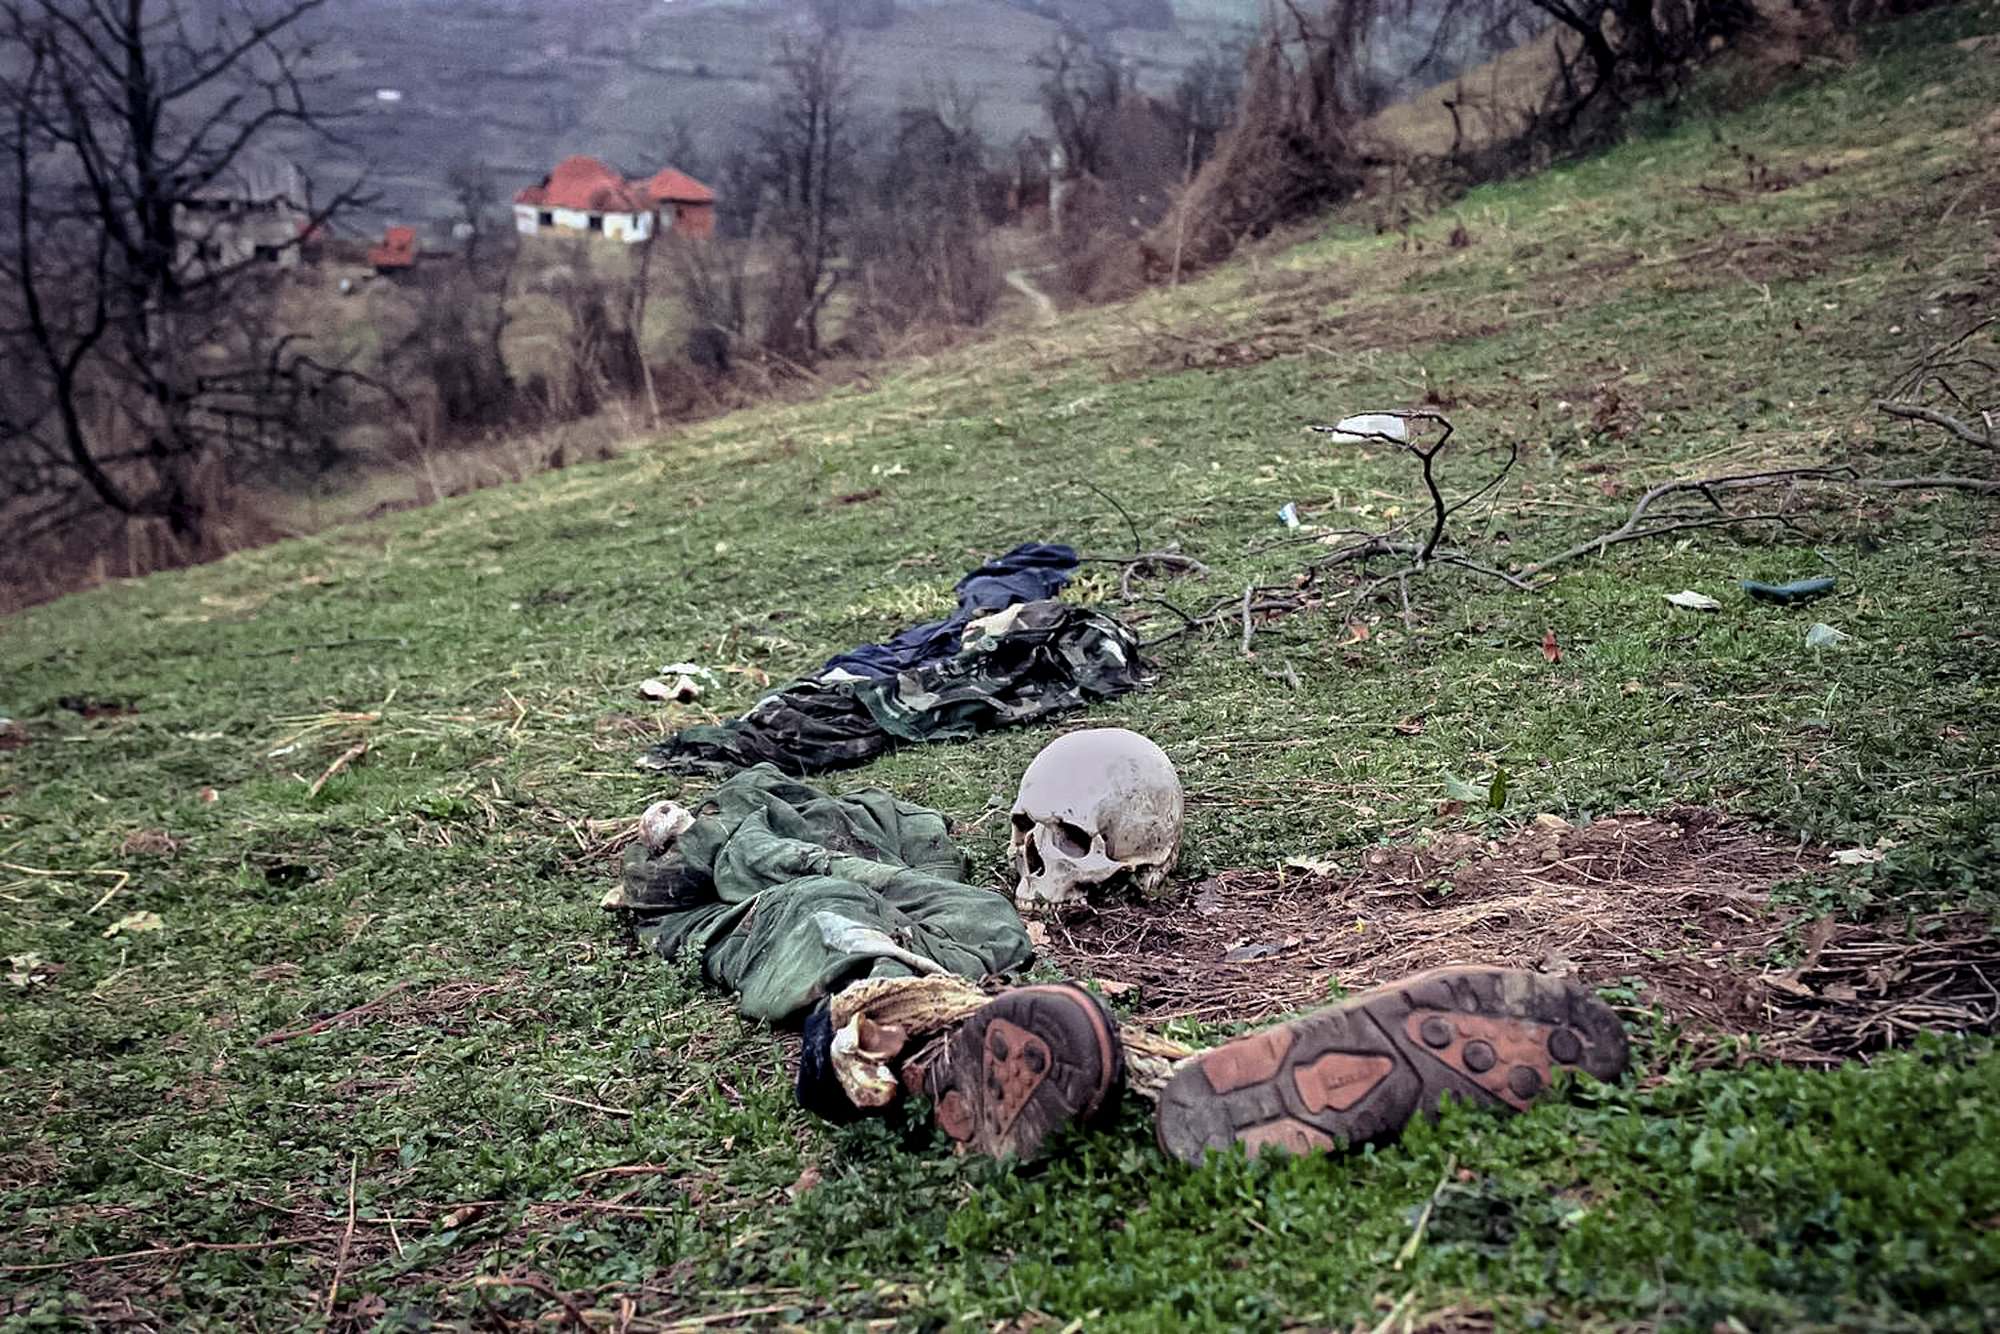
(143, 221)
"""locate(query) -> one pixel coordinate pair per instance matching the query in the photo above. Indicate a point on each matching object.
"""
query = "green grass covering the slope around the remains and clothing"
(487, 651)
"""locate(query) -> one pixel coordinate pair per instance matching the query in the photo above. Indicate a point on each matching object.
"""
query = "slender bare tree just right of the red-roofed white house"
(809, 171)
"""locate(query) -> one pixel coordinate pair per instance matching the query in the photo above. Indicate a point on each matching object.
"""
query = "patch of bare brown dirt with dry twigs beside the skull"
(1675, 907)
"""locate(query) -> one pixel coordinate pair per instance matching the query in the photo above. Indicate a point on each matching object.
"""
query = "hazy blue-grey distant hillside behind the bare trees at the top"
(429, 85)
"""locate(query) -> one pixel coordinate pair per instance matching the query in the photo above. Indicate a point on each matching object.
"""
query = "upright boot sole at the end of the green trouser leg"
(1023, 1067)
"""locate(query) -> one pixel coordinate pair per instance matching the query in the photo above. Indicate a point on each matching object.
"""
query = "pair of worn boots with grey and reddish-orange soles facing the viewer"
(1043, 1057)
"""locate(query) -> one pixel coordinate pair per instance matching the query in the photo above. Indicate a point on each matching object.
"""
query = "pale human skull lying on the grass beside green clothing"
(1095, 807)
